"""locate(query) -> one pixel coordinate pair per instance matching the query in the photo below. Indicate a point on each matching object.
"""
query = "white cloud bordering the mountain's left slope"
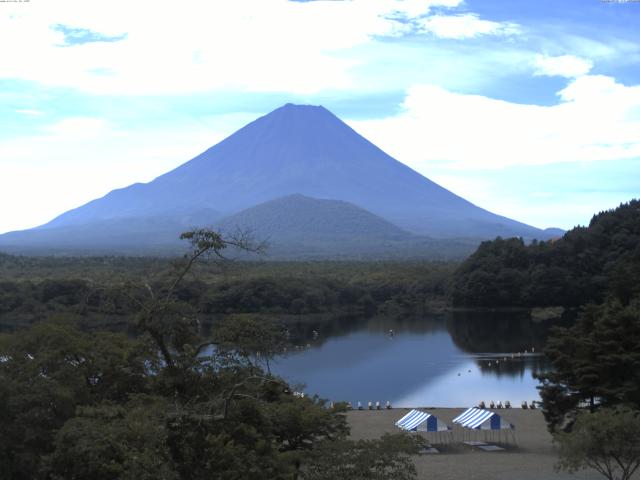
(82, 158)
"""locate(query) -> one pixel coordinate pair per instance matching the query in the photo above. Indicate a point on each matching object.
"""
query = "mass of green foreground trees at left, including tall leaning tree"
(77, 403)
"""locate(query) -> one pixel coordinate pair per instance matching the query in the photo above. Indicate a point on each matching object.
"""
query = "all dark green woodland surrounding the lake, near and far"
(107, 359)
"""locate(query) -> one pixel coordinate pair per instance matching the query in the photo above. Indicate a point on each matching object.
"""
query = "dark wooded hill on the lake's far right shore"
(579, 268)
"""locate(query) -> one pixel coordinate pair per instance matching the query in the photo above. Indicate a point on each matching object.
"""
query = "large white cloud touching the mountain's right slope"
(596, 119)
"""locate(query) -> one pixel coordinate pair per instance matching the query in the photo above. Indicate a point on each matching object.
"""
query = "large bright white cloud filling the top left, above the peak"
(197, 45)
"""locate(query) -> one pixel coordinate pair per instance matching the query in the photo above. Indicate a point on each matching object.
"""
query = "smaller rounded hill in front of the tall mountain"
(297, 226)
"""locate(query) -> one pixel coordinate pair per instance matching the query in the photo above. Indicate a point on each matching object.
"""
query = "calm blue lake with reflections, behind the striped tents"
(452, 360)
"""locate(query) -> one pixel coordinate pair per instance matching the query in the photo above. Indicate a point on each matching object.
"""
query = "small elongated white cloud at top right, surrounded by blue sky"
(468, 25)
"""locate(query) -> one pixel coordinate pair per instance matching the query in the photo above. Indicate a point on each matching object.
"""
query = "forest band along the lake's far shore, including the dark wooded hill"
(583, 266)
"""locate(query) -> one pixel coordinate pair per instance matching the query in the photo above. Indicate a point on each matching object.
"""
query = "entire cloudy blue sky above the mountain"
(530, 109)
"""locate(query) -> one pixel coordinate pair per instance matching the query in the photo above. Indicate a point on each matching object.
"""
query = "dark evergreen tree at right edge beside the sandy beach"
(596, 361)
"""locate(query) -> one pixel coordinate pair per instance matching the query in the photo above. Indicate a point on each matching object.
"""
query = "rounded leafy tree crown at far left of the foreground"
(50, 371)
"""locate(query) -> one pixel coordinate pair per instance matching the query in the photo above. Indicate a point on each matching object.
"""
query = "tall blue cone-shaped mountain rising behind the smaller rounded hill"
(296, 149)
